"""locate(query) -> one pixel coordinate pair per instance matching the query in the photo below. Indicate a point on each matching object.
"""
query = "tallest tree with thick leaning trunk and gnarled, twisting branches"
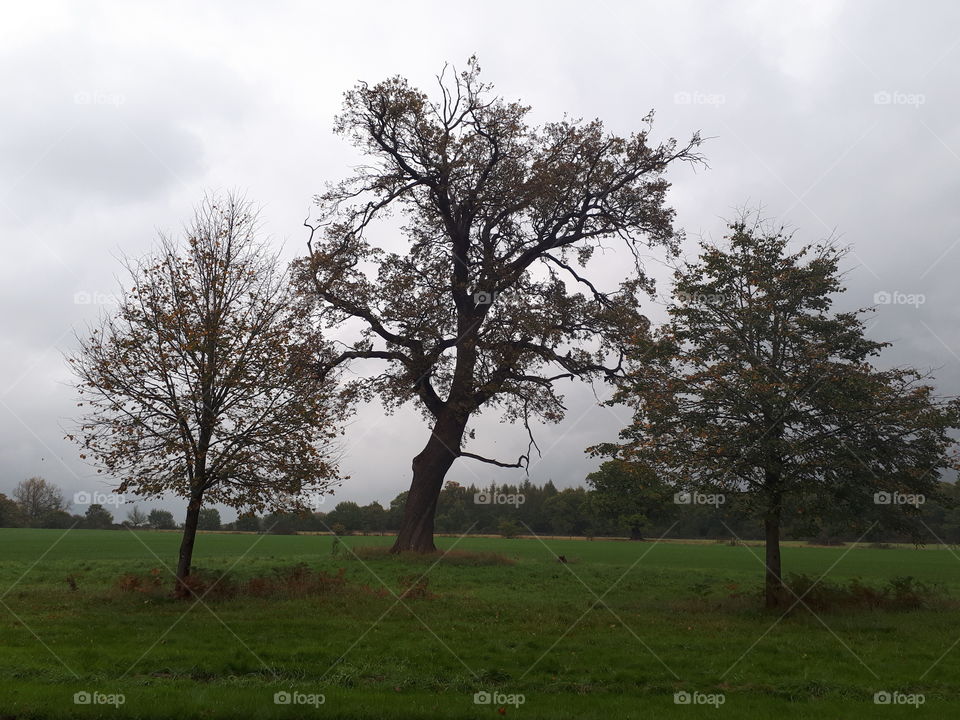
(490, 305)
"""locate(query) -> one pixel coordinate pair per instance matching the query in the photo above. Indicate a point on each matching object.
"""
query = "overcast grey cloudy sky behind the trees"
(837, 119)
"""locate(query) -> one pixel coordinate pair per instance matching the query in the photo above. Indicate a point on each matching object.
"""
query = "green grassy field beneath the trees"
(613, 633)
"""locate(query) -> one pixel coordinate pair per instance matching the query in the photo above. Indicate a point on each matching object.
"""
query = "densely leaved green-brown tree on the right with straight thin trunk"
(760, 389)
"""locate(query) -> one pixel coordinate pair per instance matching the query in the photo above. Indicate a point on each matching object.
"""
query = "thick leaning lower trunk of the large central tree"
(429, 469)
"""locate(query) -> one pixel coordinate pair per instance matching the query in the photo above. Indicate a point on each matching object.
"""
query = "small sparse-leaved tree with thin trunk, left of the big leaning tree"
(202, 384)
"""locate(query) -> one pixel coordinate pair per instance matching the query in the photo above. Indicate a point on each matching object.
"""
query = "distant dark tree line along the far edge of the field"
(607, 508)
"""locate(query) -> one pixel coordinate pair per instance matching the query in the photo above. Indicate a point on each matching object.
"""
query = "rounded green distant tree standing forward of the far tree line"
(630, 492)
